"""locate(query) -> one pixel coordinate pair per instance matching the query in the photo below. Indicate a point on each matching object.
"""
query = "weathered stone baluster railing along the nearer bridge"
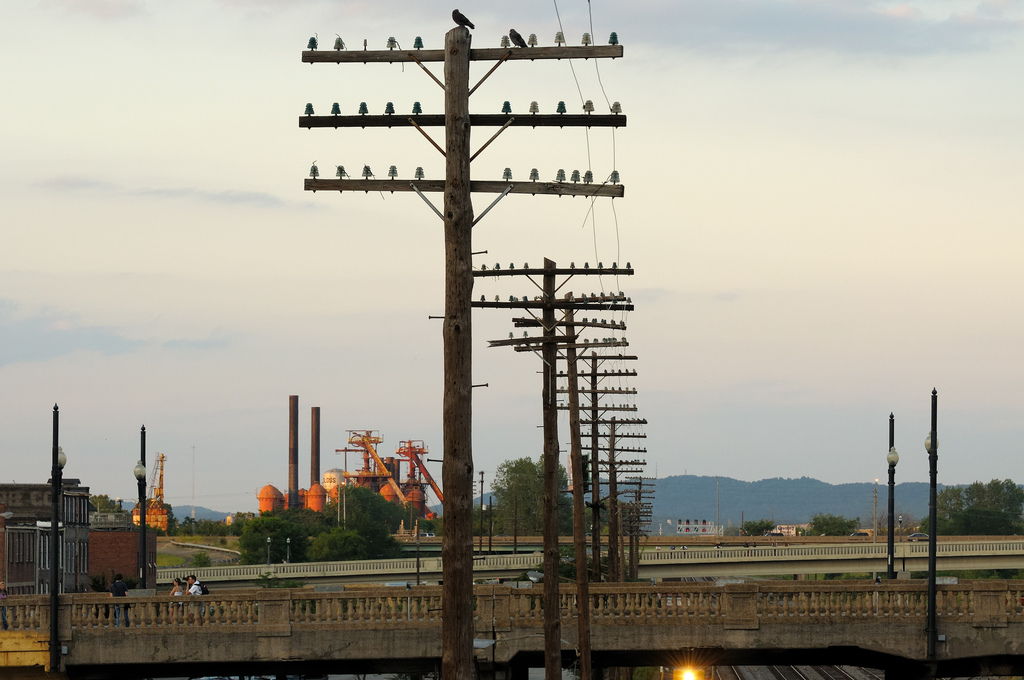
(678, 604)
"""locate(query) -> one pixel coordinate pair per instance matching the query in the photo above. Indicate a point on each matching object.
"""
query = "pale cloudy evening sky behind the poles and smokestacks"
(823, 209)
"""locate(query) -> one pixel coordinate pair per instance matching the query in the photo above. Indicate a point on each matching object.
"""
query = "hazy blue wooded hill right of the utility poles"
(788, 501)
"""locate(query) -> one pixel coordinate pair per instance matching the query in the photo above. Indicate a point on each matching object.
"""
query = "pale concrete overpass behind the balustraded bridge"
(730, 561)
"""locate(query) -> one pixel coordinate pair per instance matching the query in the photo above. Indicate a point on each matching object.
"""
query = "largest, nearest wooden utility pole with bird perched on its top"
(457, 545)
